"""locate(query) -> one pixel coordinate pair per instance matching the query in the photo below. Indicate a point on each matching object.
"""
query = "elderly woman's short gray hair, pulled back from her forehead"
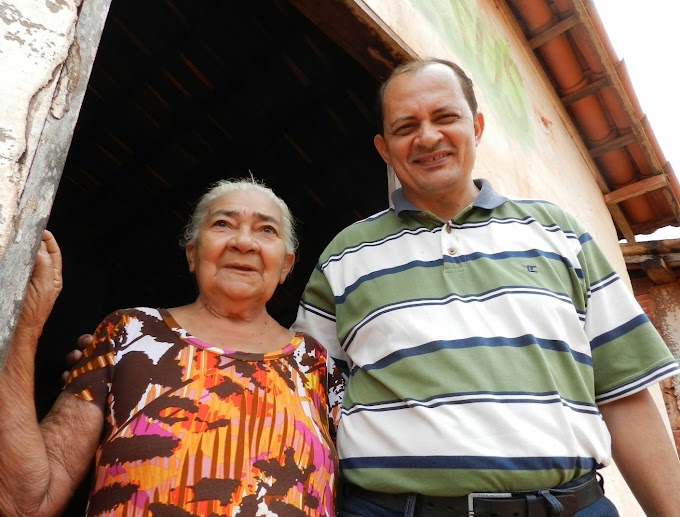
(226, 186)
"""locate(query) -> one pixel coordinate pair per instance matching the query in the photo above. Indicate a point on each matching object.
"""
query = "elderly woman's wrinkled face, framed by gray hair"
(240, 253)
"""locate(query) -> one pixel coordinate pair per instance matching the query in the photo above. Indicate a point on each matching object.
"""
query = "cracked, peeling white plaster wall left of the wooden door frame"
(35, 39)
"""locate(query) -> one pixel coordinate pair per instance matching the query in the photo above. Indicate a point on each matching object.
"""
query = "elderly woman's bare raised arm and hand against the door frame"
(41, 464)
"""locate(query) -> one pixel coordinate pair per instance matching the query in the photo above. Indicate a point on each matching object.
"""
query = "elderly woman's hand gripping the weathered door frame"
(44, 286)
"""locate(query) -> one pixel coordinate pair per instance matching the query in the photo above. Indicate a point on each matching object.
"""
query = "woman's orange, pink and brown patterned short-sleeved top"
(193, 430)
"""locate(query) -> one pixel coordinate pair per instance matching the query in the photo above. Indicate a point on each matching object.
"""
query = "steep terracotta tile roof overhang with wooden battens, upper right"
(637, 183)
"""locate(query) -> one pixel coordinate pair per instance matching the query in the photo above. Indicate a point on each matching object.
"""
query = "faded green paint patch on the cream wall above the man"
(482, 51)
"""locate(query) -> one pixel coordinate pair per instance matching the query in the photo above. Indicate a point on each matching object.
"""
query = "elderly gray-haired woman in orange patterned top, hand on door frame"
(211, 408)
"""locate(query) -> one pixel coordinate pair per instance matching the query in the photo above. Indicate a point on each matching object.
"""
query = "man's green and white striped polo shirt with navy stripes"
(478, 348)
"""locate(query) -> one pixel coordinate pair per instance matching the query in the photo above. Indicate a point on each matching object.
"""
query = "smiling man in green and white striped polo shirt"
(490, 346)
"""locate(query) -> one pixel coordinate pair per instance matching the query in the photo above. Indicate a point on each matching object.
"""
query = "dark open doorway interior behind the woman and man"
(184, 93)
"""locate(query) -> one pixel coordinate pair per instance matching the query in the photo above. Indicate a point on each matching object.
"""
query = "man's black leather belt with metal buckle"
(553, 502)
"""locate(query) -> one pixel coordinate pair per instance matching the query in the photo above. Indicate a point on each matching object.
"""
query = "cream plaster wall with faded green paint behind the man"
(530, 147)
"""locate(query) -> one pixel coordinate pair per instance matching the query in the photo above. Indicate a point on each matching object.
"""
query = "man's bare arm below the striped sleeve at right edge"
(644, 453)
